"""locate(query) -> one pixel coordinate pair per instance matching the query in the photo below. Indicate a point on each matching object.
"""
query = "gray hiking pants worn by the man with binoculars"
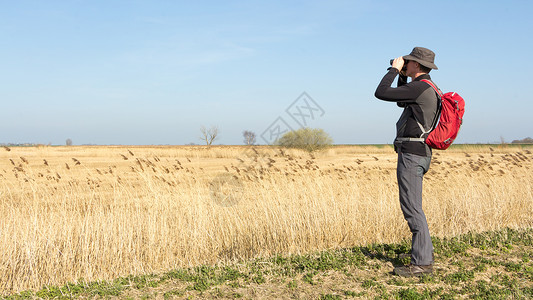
(410, 172)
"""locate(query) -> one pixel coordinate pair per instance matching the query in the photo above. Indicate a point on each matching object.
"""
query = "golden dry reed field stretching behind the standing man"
(99, 212)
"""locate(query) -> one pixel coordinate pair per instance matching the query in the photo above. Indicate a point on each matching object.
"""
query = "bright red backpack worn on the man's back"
(451, 118)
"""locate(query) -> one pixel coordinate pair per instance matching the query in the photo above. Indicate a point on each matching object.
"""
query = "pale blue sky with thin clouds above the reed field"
(154, 72)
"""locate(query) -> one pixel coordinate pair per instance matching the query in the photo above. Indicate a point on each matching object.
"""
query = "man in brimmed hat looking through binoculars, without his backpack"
(420, 104)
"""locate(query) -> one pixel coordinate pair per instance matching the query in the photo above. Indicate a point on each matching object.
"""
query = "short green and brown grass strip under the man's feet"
(488, 265)
